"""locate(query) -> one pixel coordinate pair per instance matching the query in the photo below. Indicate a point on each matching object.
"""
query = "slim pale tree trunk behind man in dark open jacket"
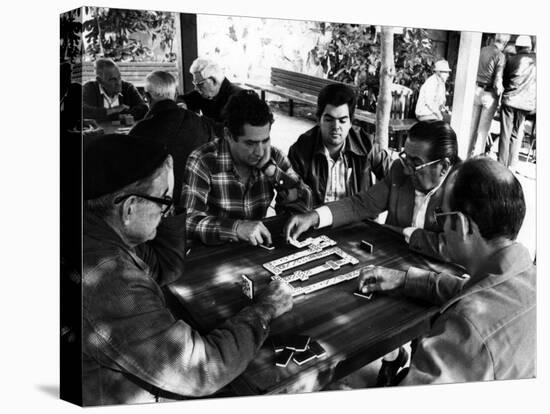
(387, 73)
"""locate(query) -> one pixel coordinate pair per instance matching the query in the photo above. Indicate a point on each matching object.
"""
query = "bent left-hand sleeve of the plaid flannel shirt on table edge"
(208, 228)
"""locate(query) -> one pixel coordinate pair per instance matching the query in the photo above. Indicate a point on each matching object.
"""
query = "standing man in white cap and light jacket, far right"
(518, 100)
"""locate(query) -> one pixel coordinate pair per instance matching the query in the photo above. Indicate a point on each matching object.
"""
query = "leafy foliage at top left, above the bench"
(108, 33)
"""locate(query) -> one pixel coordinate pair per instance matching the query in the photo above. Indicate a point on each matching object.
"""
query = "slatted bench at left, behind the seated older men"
(133, 72)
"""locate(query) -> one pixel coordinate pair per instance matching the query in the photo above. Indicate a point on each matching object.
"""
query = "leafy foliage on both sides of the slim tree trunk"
(353, 56)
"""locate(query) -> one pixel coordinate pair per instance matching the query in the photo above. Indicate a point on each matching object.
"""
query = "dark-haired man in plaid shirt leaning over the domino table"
(230, 182)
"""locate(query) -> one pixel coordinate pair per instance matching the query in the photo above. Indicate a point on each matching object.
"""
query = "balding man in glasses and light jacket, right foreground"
(486, 327)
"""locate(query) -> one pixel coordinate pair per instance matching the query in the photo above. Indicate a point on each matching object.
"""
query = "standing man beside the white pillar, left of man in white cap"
(488, 90)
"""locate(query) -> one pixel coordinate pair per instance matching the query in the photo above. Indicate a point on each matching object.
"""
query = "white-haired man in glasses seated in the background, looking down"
(212, 91)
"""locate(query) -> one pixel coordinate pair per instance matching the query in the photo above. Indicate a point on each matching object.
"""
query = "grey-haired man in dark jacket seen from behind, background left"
(182, 131)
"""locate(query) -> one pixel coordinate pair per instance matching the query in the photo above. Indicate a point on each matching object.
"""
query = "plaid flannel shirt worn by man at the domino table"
(216, 200)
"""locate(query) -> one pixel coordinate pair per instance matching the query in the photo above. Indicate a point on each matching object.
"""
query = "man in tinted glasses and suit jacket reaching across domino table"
(410, 192)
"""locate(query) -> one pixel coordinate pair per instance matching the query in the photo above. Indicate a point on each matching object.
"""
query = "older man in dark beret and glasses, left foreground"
(134, 349)
